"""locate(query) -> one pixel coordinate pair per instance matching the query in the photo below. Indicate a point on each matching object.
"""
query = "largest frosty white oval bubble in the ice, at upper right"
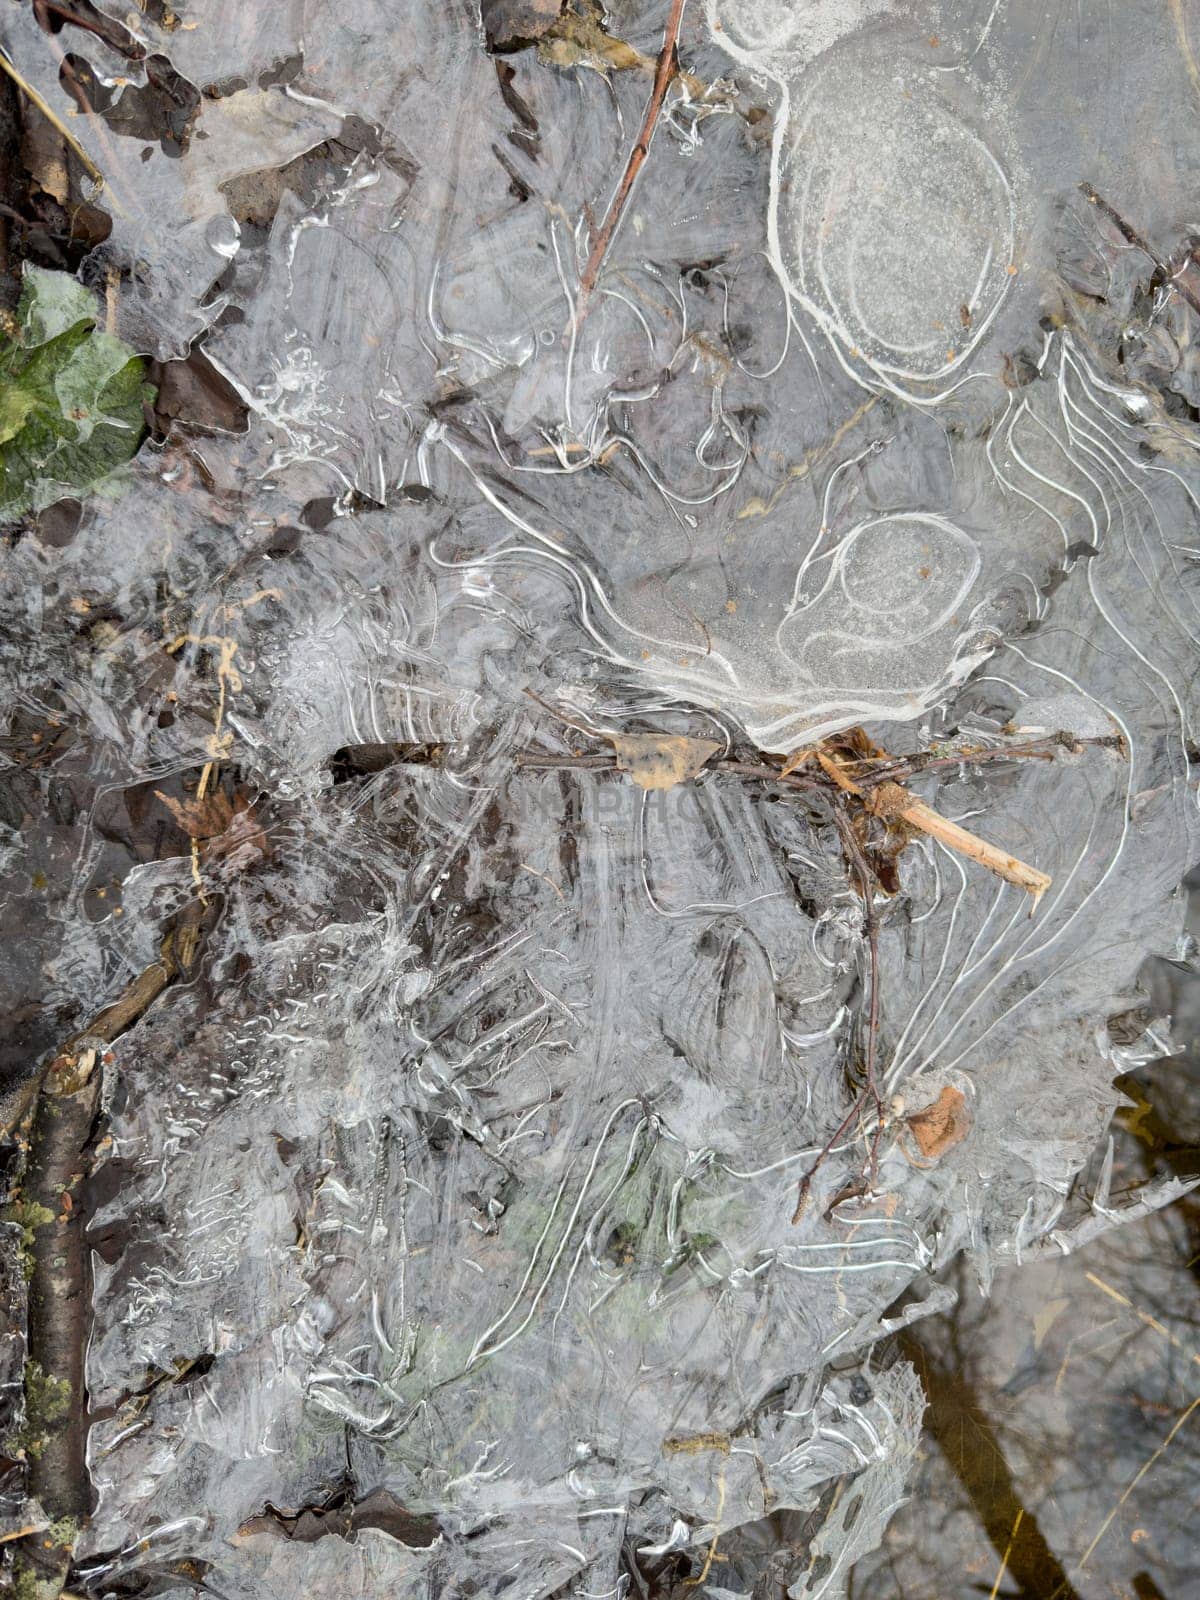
(895, 234)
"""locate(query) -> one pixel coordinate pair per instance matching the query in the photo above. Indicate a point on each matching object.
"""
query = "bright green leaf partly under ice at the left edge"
(71, 399)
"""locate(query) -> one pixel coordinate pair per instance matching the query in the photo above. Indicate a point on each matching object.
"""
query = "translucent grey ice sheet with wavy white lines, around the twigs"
(465, 1169)
